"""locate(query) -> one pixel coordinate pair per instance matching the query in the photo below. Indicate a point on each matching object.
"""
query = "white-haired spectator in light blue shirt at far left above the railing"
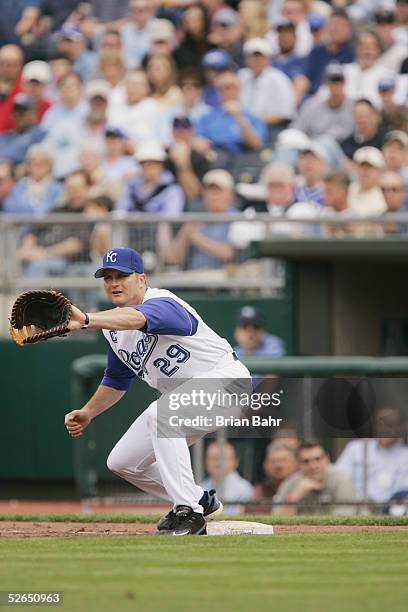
(37, 193)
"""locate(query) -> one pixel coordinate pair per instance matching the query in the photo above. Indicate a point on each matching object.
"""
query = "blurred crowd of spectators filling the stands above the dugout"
(287, 107)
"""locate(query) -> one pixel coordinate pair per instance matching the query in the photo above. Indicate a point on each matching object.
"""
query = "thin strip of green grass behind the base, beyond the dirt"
(262, 518)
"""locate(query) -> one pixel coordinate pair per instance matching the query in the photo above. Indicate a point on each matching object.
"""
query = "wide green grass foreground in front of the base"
(350, 572)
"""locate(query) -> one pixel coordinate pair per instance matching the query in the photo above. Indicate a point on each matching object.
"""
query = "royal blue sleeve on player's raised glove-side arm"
(167, 317)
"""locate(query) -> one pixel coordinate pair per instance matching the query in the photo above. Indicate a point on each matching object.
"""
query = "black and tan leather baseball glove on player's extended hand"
(39, 315)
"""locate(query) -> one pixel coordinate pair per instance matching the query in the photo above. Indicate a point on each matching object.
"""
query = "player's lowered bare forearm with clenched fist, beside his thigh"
(103, 398)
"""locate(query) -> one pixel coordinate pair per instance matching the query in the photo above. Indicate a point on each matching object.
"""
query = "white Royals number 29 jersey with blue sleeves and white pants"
(176, 344)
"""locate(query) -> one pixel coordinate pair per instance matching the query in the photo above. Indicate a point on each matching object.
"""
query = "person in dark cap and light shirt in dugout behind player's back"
(252, 337)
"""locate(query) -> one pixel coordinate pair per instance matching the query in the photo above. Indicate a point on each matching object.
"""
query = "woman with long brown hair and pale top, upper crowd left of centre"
(162, 74)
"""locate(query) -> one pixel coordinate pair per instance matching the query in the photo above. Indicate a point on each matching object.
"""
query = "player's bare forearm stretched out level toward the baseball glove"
(115, 319)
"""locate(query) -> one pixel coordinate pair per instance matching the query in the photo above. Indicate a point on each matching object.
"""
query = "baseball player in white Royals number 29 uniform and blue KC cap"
(155, 335)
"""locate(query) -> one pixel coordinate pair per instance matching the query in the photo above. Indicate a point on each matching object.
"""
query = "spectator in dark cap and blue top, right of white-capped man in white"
(286, 58)
